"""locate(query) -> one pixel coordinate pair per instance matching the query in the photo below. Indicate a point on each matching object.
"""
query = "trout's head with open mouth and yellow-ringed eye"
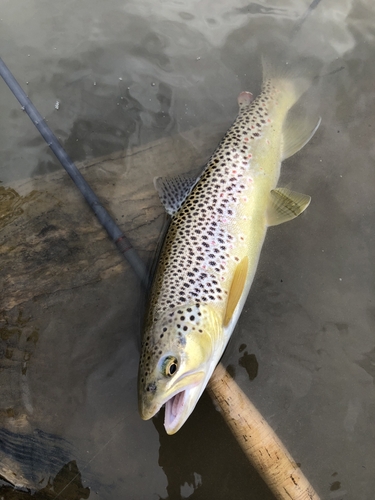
(180, 351)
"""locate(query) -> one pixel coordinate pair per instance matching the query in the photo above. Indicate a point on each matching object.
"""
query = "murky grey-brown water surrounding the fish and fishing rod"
(127, 74)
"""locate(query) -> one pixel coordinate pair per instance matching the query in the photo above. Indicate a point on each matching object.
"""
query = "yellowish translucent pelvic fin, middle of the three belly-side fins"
(285, 205)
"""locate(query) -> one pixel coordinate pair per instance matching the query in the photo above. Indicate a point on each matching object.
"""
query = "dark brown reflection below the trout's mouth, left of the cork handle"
(203, 458)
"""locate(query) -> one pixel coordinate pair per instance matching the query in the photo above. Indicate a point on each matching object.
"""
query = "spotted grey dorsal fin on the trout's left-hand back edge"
(173, 191)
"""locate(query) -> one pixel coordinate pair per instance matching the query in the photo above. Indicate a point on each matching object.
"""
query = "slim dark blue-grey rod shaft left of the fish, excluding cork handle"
(121, 241)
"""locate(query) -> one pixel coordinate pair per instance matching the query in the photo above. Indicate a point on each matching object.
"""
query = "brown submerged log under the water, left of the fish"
(51, 241)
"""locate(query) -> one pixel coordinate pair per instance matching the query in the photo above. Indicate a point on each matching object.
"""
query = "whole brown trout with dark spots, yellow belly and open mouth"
(211, 250)
